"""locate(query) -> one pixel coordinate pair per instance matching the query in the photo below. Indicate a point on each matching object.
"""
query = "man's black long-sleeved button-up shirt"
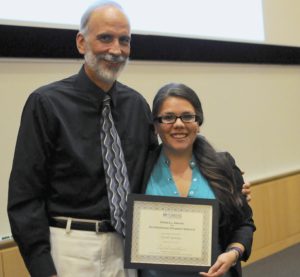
(57, 168)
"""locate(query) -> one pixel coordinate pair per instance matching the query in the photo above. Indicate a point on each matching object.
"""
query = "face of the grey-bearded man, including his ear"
(106, 45)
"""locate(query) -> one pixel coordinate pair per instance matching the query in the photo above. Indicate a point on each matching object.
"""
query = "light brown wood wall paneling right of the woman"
(276, 208)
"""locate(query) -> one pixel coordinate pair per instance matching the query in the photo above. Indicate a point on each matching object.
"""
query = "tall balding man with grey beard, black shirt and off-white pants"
(58, 202)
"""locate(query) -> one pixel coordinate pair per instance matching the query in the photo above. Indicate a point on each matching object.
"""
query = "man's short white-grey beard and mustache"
(96, 63)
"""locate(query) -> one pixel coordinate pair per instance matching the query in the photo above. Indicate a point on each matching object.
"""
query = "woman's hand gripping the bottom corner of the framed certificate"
(222, 265)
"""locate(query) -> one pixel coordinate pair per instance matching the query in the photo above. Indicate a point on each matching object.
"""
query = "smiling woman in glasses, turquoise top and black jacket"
(186, 165)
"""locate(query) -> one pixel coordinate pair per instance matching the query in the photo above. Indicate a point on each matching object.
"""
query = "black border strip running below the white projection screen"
(50, 43)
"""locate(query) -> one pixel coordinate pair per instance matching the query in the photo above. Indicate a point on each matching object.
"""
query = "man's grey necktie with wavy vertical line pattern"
(114, 167)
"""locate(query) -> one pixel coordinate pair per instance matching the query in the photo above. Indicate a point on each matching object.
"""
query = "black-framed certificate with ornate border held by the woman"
(171, 233)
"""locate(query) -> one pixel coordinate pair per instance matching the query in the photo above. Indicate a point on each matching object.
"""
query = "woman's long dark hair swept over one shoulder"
(214, 167)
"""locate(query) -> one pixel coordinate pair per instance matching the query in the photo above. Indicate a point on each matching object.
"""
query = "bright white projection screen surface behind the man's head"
(214, 19)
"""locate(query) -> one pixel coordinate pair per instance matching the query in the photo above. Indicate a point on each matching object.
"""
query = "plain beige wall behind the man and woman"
(250, 110)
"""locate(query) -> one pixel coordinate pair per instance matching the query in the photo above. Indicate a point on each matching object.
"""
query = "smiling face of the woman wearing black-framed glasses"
(178, 137)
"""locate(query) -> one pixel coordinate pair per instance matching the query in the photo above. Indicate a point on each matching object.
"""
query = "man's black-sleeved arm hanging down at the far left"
(28, 188)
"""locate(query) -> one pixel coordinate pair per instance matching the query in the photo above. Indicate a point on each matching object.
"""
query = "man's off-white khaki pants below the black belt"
(88, 254)
